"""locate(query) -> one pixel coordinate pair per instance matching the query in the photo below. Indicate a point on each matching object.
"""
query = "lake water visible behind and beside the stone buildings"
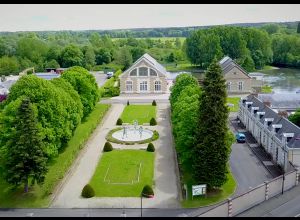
(283, 80)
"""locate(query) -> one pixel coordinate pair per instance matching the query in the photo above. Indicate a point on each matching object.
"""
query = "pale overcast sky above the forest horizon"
(42, 17)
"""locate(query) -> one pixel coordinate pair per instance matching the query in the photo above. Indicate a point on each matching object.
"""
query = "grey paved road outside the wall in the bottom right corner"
(286, 205)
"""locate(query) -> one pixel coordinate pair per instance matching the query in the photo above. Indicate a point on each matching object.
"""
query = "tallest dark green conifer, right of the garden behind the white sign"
(211, 151)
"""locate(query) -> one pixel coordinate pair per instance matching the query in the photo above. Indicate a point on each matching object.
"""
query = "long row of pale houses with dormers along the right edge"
(279, 137)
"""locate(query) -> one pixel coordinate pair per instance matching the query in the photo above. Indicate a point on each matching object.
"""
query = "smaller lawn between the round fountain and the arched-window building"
(141, 113)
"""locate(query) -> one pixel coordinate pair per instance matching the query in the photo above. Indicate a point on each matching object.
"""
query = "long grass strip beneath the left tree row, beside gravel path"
(39, 195)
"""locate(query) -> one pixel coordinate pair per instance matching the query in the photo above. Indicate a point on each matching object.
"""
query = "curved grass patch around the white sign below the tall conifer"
(213, 197)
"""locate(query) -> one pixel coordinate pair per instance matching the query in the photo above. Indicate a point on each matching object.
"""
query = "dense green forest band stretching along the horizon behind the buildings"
(251, 45)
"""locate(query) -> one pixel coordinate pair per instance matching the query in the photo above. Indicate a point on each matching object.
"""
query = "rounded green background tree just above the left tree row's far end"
(71, 56)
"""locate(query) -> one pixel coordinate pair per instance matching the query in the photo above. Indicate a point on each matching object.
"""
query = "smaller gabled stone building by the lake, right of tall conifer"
(237, 79)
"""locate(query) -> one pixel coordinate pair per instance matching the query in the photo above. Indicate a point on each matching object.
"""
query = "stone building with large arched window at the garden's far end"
(146, 75)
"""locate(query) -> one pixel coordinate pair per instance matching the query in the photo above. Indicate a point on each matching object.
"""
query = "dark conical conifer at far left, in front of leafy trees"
(24, 157)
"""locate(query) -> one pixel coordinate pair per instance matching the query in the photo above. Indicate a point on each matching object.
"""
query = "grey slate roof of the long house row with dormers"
(287, 126)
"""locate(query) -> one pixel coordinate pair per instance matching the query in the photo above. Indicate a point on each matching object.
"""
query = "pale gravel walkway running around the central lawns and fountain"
(166, 190)
